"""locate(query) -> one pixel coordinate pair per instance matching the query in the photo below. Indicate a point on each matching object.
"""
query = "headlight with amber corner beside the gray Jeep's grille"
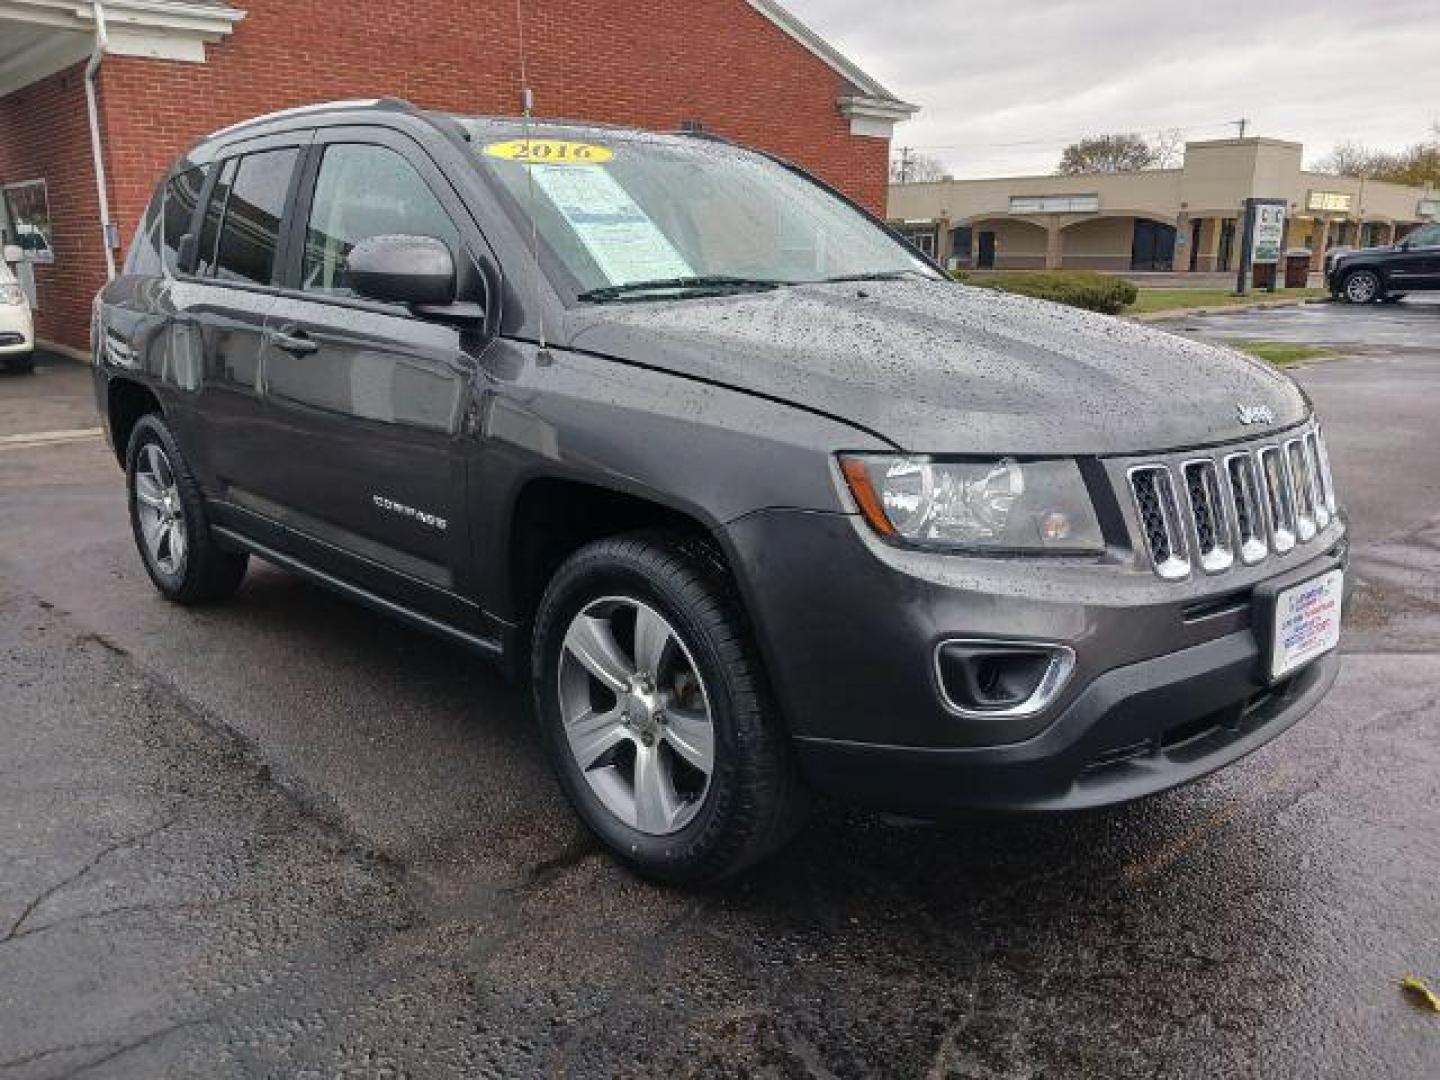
(1035, 506)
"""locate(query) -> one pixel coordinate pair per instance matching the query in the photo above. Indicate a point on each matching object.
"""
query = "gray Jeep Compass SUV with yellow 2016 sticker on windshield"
(755, 499)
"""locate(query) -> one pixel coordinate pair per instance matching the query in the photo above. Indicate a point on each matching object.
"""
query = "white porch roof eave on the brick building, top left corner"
(40, 38)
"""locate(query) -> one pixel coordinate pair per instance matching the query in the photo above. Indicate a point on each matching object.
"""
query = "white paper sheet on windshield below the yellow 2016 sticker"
(626, 244)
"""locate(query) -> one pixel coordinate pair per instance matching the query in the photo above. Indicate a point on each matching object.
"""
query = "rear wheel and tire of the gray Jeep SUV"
(169, 522)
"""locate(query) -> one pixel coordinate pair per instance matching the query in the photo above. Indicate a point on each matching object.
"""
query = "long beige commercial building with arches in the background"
(1163, 220)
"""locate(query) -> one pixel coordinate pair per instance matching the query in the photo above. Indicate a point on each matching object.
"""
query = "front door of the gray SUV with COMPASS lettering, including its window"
(365, 401)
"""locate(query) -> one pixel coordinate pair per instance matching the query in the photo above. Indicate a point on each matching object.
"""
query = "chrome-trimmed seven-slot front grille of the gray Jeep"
(1243, 503)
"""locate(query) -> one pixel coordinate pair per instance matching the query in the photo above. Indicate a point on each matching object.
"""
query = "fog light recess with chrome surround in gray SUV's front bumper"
(1002, 679)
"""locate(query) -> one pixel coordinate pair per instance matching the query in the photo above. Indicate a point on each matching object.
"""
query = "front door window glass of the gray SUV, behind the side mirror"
(362, 192)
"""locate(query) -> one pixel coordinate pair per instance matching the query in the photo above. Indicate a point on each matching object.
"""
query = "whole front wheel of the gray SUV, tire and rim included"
(705, 672)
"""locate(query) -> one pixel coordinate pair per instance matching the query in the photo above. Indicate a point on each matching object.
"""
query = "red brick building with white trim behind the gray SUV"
(166, 73)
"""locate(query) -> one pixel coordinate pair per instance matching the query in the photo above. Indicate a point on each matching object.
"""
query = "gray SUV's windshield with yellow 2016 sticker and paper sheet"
(627, 215)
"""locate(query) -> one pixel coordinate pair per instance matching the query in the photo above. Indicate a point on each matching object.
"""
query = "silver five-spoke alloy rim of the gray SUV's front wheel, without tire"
(637, 716)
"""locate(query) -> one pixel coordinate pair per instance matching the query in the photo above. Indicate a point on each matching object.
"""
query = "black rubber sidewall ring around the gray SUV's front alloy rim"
(575, 588)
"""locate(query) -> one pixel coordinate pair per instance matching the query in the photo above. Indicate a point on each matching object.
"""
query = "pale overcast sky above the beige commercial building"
(993, 74)
